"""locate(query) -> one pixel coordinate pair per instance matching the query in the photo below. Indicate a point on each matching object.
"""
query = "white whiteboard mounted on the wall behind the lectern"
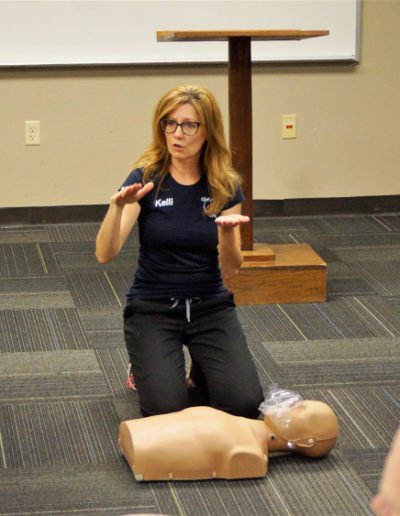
(90, 32)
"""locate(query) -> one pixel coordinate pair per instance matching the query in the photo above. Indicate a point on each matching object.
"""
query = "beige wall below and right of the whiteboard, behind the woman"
(95, 122)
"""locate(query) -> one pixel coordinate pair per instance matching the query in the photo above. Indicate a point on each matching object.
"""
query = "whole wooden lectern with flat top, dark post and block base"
(290, 273)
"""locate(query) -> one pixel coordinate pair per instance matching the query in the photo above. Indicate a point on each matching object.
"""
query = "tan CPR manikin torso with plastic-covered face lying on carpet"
(203, 443)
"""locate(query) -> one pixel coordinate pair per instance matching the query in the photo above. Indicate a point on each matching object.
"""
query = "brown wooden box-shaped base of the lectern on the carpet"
(290, 273)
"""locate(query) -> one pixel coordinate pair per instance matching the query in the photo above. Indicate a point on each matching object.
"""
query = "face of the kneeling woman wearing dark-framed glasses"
(181, 146)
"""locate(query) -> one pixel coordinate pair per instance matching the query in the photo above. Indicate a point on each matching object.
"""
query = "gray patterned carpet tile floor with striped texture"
(63, 370)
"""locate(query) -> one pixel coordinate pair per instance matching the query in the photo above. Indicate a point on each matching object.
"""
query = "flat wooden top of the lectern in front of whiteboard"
(224, 35)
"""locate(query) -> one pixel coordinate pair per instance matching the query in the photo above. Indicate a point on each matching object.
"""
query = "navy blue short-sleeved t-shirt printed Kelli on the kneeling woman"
(178, 254)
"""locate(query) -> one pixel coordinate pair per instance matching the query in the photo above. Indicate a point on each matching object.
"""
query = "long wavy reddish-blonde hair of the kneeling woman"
(216, 164)
